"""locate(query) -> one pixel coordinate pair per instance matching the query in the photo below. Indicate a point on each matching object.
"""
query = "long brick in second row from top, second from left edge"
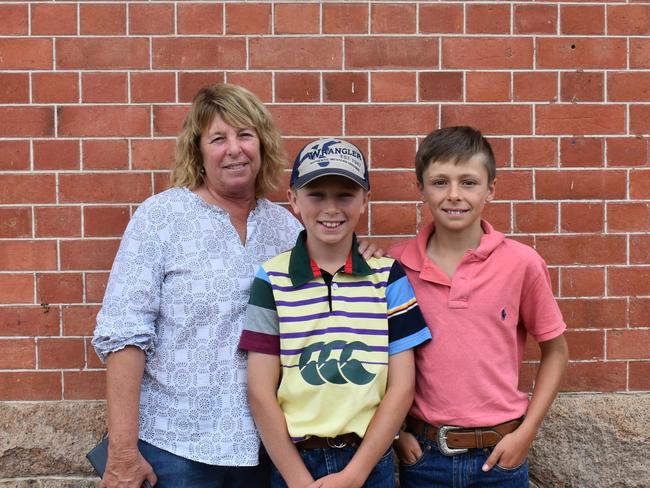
(102, 53)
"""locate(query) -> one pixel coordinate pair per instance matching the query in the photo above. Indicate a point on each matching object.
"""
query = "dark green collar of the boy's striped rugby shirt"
(303, 269)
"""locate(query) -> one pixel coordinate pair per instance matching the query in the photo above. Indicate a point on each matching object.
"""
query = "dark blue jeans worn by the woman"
(177, 472)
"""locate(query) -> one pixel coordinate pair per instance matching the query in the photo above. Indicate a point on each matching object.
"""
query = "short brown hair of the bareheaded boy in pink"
(455, 144)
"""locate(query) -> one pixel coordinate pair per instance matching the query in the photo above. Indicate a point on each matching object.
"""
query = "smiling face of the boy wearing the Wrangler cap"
(330, 208)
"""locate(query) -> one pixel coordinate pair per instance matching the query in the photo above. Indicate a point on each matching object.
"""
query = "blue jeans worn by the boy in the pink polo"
(434, 469)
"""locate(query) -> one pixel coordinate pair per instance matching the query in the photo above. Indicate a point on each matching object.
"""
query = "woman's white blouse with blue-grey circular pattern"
(178, 290)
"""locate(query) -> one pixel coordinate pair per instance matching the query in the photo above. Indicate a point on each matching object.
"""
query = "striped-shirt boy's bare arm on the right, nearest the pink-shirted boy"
(383, 426)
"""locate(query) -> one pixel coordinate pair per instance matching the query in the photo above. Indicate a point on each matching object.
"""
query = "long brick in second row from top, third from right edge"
(487, 53)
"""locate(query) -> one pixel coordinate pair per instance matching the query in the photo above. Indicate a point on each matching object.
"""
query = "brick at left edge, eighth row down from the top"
(22, 255)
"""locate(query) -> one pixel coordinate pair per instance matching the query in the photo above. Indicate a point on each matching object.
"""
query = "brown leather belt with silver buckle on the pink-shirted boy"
(455, 440)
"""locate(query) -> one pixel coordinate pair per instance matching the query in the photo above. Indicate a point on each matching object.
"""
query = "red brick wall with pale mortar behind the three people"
(92, 95)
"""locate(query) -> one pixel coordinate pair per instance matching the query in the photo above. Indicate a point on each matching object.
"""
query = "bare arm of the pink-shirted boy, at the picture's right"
(513, 448)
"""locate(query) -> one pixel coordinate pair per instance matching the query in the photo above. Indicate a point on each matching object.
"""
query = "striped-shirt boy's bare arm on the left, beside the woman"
(263, 380)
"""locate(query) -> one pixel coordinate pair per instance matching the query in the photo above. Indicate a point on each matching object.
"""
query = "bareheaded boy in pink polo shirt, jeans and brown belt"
(481, 294)
